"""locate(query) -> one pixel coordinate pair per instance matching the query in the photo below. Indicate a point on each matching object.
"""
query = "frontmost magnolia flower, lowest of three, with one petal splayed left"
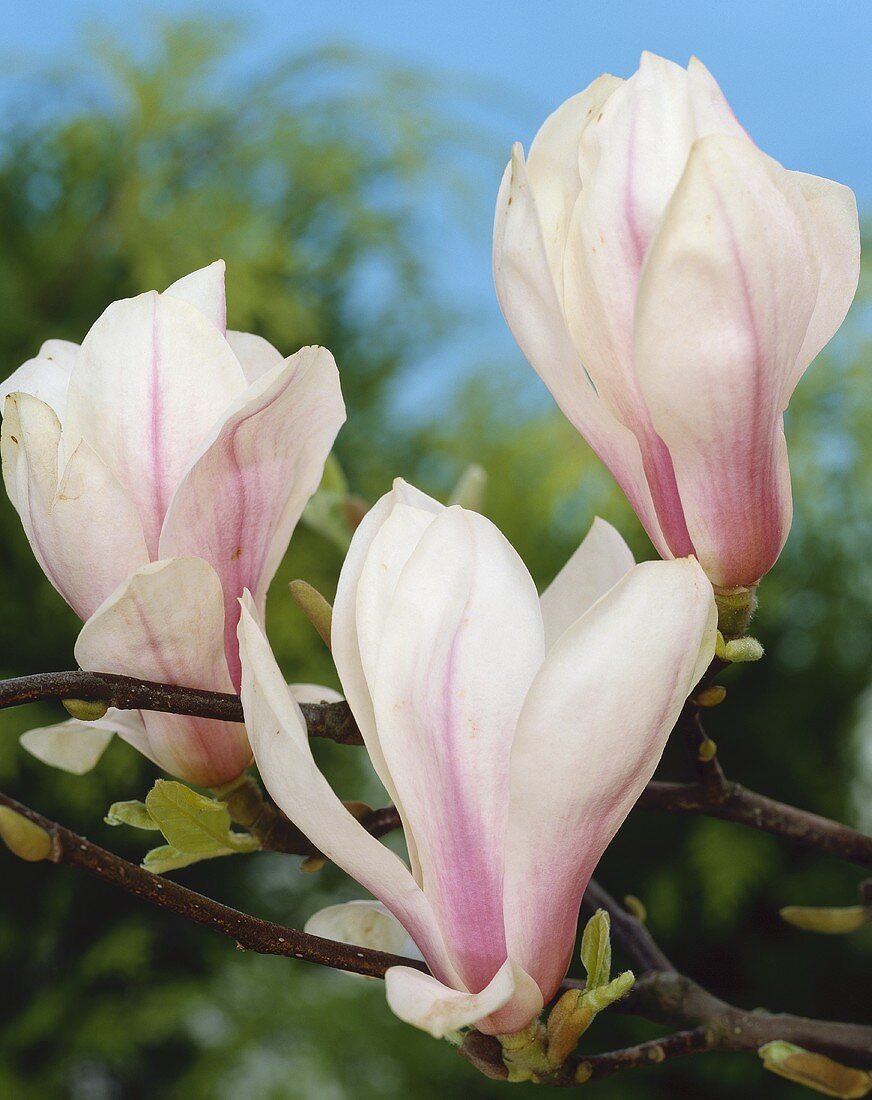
(513, 735)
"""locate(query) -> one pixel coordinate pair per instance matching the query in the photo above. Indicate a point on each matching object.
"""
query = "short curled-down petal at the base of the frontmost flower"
(425, 1003)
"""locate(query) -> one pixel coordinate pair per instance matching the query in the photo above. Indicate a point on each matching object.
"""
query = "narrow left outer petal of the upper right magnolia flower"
(529, 302)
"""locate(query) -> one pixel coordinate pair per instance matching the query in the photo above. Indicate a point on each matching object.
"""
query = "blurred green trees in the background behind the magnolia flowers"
(318, 183)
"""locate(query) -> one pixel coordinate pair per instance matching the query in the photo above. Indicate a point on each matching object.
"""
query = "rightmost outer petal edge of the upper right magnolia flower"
(833, 211)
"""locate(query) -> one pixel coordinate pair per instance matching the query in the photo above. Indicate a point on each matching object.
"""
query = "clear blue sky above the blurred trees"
(797, 73)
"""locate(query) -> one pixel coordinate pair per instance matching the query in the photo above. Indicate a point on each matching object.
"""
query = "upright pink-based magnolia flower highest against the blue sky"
(671, 283)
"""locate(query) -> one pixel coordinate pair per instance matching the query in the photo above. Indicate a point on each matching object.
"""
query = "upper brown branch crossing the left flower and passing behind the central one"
(712, 796)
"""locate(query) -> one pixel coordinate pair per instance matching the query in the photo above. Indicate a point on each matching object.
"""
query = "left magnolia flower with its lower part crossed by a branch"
(160, 470)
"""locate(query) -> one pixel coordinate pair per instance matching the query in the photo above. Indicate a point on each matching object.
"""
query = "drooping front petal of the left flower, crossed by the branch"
(167, 624)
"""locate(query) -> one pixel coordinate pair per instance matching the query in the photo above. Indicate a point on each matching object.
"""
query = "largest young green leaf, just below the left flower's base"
(194, 823)
